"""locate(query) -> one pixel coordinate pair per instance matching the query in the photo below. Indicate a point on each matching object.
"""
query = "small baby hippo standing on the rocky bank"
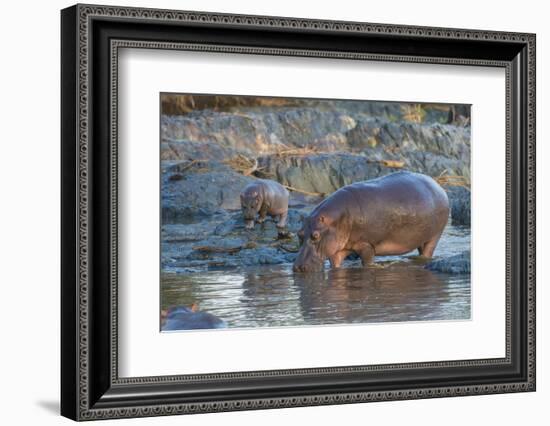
(265, 197)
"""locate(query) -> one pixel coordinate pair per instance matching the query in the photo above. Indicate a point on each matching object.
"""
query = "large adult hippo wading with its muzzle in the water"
(390, 215)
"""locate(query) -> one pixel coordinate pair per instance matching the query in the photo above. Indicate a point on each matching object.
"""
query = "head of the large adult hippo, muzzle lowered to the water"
(319, 240)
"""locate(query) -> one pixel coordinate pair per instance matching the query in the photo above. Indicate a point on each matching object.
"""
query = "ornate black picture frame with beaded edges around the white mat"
(91, 38)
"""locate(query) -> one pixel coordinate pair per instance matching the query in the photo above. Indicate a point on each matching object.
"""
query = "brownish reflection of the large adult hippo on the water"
(401, 291)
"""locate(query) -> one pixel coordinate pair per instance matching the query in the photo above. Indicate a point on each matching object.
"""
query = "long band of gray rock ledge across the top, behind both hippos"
(429, 147)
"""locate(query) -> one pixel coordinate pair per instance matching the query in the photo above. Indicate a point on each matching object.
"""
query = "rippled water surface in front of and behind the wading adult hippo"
(398, 289)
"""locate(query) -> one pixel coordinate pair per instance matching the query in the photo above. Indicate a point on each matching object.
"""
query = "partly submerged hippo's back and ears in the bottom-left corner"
(184, 318)
